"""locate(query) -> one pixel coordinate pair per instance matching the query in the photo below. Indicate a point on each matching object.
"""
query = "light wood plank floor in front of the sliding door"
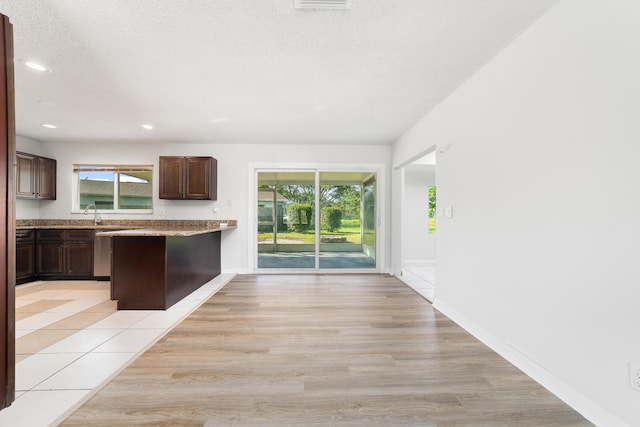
(294, 350)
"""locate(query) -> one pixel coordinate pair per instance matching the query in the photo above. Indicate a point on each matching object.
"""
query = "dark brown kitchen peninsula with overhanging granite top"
(154, 268)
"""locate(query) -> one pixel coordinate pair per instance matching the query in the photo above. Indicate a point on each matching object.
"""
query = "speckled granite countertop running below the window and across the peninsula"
(126, 227)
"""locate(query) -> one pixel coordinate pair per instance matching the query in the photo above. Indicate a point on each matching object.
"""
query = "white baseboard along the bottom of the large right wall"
(583, 405)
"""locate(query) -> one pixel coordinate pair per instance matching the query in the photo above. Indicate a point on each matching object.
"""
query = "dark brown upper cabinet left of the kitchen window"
(35, 177)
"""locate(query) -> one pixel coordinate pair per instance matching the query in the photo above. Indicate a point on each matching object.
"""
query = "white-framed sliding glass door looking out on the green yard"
(316, 220)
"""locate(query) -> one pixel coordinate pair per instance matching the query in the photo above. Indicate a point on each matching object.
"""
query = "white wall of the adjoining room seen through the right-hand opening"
(417, 243)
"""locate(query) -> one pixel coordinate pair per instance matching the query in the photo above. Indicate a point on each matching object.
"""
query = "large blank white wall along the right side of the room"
(540, 259)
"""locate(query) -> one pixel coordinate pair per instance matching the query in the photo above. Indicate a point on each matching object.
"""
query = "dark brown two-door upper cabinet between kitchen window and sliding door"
(188, 178)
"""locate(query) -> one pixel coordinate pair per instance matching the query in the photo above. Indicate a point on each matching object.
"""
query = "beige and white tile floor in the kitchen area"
(71, 340)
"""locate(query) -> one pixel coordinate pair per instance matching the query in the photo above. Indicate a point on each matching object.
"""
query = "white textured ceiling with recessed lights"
(248, 71)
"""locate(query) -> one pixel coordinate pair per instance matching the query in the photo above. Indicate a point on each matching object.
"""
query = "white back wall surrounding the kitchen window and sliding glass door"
(233, 185)
